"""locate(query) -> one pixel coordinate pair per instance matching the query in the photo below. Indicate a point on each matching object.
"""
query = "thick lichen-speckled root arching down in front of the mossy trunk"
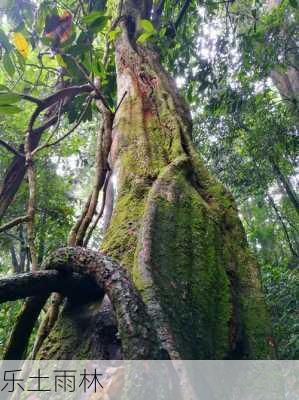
(139, 339)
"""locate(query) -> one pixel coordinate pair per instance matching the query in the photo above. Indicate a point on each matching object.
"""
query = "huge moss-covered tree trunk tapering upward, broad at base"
(173, 226)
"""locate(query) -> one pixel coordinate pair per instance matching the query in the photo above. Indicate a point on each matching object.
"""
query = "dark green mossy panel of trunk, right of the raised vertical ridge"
(189, 272)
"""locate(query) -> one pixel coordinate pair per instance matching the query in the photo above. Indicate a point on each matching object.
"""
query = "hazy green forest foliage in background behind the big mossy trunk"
(222, 54)
